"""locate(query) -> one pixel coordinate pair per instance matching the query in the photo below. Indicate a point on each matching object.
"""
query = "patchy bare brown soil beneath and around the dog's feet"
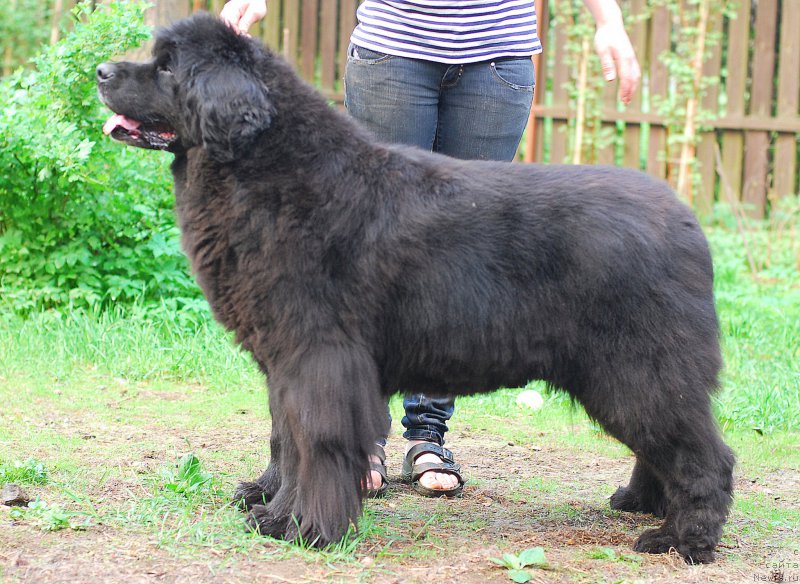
(517, 497)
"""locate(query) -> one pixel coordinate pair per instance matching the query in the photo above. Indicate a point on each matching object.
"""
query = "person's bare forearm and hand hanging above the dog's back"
(614, 47)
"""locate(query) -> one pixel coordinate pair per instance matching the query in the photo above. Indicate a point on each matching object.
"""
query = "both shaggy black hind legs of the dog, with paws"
(668, 425)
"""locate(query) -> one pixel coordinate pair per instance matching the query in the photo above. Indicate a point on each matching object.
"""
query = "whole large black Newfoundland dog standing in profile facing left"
(352, 269)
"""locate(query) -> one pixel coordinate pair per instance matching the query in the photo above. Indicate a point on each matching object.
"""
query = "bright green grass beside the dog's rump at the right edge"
(760, 325)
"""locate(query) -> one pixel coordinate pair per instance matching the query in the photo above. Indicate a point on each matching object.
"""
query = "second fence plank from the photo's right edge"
(756, 144)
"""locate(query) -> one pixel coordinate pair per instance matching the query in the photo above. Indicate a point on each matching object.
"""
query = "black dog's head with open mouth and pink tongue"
(200, 89)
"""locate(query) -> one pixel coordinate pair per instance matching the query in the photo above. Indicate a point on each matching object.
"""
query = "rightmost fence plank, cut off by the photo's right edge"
(788, 92)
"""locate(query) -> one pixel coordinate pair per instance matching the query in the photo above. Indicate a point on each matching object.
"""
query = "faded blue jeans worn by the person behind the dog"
(470, 111)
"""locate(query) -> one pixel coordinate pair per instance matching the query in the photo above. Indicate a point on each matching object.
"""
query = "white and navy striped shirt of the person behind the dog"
(448, 31)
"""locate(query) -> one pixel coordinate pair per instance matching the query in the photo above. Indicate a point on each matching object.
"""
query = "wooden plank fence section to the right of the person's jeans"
(750, 145)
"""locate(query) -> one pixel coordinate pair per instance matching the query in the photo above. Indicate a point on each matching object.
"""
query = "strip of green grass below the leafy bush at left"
(137, 344)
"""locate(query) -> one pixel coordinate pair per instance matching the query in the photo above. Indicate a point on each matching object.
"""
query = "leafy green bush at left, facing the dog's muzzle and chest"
(84, 221)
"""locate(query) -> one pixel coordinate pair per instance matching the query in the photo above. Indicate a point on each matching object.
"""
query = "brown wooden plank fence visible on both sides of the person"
(748, 149)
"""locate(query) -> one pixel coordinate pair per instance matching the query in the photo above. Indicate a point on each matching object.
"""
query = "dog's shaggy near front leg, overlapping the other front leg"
(328, 412)
